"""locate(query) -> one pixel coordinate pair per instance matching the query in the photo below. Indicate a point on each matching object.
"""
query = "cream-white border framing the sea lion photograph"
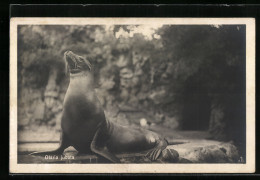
(249, 167)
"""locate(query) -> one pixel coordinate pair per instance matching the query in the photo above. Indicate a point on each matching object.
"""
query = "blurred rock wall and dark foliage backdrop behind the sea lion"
(183, 78)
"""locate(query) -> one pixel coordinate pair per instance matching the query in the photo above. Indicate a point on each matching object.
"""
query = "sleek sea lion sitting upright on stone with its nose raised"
(85, 127)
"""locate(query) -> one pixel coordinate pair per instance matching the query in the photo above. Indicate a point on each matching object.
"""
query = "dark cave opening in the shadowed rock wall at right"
(196, 104)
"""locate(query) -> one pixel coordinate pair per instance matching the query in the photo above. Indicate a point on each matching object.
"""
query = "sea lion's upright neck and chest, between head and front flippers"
(82, 113)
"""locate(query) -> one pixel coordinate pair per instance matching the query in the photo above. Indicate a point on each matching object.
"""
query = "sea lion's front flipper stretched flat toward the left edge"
(64, 143)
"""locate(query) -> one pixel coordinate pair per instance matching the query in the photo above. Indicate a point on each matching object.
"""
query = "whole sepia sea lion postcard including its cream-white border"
(132, 95)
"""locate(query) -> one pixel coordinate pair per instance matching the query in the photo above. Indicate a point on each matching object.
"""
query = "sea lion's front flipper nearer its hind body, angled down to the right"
(98, 146)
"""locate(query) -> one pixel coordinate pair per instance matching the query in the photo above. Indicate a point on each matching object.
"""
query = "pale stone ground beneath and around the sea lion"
(191, 147)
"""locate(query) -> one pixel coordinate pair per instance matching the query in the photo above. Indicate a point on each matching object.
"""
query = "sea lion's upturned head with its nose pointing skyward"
(76, 64)
